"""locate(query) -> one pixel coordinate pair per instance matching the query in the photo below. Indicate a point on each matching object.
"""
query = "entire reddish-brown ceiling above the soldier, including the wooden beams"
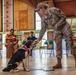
(67, 6)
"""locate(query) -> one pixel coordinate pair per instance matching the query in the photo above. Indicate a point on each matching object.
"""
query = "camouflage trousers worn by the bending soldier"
(65, 32)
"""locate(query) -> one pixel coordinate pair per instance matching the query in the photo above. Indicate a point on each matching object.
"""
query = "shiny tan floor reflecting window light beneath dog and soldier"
(41, 64)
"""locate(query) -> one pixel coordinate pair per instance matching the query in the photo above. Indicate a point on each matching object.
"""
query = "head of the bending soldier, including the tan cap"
(41, 9)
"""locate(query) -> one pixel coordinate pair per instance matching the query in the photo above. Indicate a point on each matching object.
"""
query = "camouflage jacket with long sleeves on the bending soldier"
(56, 16)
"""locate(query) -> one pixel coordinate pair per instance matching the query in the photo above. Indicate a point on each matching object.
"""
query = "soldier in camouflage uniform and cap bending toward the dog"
(56, 18)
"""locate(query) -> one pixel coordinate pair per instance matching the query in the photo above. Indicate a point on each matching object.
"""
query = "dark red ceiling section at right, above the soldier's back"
(67, 6)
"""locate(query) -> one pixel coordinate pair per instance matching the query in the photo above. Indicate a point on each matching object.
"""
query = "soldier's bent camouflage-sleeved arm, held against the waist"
(61, 16)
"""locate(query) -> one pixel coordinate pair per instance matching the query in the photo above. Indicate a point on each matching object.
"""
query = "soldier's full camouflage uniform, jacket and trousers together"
(56, 16)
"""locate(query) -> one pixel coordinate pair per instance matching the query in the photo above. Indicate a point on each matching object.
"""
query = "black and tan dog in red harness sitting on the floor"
(19, 57)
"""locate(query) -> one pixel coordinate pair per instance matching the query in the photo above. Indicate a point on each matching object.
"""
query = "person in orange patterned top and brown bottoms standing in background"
(11, 43)
